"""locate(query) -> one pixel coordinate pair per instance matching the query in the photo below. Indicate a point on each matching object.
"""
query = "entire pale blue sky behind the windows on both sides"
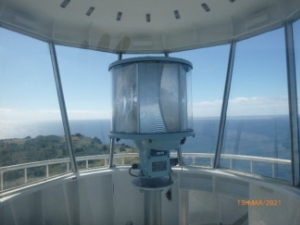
(28, 91)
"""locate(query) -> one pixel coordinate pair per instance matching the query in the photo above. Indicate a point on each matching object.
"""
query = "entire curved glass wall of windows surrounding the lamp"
(256, 137)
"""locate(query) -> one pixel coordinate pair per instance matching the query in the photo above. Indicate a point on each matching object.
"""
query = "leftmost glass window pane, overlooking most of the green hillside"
(30, 121)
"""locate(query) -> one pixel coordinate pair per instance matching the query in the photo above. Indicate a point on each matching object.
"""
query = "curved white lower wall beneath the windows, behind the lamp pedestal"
(108, 197)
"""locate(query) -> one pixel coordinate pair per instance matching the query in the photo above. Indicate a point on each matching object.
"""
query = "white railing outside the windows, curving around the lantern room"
(86, 159)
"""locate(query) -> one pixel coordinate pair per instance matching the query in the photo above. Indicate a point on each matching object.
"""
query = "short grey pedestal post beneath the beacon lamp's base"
(152, 207)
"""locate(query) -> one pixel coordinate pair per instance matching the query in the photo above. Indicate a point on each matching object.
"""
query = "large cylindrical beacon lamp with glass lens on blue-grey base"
(152, 106)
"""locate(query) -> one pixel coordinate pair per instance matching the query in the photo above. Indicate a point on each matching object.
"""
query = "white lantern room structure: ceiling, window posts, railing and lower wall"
(200, 196)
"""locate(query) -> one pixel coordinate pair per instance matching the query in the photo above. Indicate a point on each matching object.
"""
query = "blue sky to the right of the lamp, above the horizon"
(259, 85)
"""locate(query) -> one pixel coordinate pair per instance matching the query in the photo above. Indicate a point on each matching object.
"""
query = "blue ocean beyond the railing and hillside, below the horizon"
(253, 136)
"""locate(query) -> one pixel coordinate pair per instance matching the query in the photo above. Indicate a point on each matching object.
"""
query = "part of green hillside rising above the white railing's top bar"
(18, 151)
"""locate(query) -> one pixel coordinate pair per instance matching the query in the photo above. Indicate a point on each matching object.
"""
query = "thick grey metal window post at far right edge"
(293, 105)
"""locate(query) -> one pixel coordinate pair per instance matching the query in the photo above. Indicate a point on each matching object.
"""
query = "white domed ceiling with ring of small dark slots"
(226, 21)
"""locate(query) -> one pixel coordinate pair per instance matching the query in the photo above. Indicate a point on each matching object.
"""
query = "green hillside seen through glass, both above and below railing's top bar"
(25, 150)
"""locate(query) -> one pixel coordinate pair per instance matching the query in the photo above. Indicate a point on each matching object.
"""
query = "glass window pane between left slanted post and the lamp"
(86, 84)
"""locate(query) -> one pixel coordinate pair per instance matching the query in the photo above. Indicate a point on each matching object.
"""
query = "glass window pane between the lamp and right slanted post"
(208, 80)
